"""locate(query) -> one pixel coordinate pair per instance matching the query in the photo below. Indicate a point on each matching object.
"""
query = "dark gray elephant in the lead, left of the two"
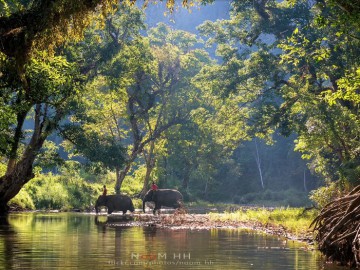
(115, 203)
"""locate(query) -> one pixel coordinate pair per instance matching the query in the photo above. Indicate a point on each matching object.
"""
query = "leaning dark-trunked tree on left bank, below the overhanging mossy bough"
(52, 82)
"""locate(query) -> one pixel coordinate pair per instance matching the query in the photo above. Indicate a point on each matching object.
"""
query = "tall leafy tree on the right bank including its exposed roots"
(296, 64)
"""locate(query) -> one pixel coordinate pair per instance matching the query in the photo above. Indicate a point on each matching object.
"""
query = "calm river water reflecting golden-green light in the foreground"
(82, 241)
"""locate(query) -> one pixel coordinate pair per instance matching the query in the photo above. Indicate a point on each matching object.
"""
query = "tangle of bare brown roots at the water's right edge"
(337, 229)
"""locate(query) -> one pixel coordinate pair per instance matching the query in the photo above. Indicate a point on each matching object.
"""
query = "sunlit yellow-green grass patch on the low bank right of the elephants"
(293, 220)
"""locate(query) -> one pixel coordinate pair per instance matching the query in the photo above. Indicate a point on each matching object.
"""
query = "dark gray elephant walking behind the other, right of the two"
(163, 197)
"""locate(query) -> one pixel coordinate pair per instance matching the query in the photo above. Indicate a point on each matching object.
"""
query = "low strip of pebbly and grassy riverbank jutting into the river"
(290, 223)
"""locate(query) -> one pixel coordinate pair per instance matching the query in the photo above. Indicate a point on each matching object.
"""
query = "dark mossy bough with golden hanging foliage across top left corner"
(28, 26)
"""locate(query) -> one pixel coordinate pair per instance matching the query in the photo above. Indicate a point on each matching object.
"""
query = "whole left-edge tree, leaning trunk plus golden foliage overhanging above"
(34, 80)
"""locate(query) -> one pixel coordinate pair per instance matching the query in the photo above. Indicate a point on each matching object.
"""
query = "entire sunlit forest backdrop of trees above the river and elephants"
(258, 105)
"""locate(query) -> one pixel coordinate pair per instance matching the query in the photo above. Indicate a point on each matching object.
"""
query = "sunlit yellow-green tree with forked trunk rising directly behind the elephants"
(141, 93)
